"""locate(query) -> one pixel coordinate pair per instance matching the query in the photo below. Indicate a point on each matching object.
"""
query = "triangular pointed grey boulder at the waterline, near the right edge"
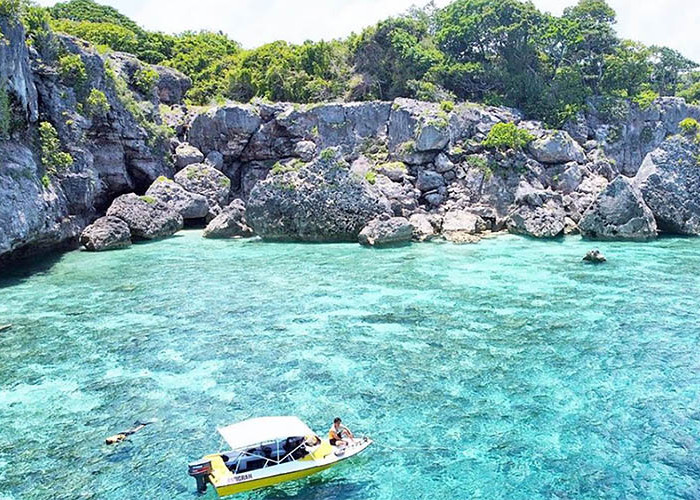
(618, 213)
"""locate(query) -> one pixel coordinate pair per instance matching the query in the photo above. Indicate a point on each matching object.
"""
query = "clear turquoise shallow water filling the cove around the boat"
(520, 371)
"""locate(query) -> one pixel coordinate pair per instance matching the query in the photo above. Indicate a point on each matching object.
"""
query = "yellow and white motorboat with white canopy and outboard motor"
(267, 451)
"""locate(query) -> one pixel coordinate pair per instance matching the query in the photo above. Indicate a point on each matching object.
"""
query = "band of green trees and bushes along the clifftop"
(494, 51)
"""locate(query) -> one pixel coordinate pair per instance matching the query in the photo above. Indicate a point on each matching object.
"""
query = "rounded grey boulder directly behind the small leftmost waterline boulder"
(146, 218)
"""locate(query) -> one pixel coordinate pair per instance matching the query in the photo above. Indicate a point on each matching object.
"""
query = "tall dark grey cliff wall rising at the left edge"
(115, 149)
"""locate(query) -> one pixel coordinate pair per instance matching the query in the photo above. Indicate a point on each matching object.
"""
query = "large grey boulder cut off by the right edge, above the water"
(669, 181)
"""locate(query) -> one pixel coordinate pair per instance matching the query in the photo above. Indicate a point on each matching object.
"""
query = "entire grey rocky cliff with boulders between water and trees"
(323, 172)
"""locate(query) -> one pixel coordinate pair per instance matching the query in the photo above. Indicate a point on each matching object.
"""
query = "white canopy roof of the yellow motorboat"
(259, 430)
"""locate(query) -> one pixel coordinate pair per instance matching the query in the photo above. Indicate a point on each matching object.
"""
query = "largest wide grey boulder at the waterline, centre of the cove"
(322, 201)
